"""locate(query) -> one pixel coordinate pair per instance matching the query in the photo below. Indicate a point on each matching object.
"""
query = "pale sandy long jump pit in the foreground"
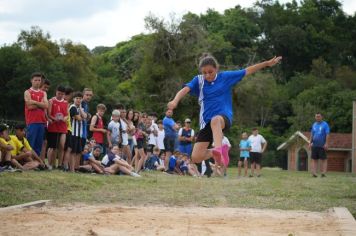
(141, 220)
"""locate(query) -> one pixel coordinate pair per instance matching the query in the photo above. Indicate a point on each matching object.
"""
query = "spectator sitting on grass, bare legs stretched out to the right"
(114, 164)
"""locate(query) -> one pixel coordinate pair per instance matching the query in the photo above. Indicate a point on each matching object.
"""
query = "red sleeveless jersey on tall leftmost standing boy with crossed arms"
(36, 115)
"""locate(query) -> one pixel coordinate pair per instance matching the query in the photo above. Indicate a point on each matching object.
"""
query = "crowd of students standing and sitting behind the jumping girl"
(63, 130)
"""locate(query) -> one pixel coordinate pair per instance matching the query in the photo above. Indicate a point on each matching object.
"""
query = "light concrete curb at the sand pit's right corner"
(345, 219)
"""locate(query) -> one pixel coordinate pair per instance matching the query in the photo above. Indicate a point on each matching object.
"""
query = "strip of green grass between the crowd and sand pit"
(276, 189)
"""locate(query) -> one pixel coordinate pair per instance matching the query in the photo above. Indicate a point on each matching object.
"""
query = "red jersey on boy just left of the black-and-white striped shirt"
(59, 108)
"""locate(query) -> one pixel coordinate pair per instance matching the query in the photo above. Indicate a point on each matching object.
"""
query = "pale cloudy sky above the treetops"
(103, 22)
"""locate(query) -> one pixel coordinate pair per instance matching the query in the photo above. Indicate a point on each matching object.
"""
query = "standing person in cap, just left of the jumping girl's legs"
(186, 137)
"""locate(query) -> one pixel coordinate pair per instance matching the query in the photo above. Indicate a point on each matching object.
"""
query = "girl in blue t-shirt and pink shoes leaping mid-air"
(213, 89)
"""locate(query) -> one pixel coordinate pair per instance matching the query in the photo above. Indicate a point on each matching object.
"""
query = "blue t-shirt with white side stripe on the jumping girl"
(215, 97)
